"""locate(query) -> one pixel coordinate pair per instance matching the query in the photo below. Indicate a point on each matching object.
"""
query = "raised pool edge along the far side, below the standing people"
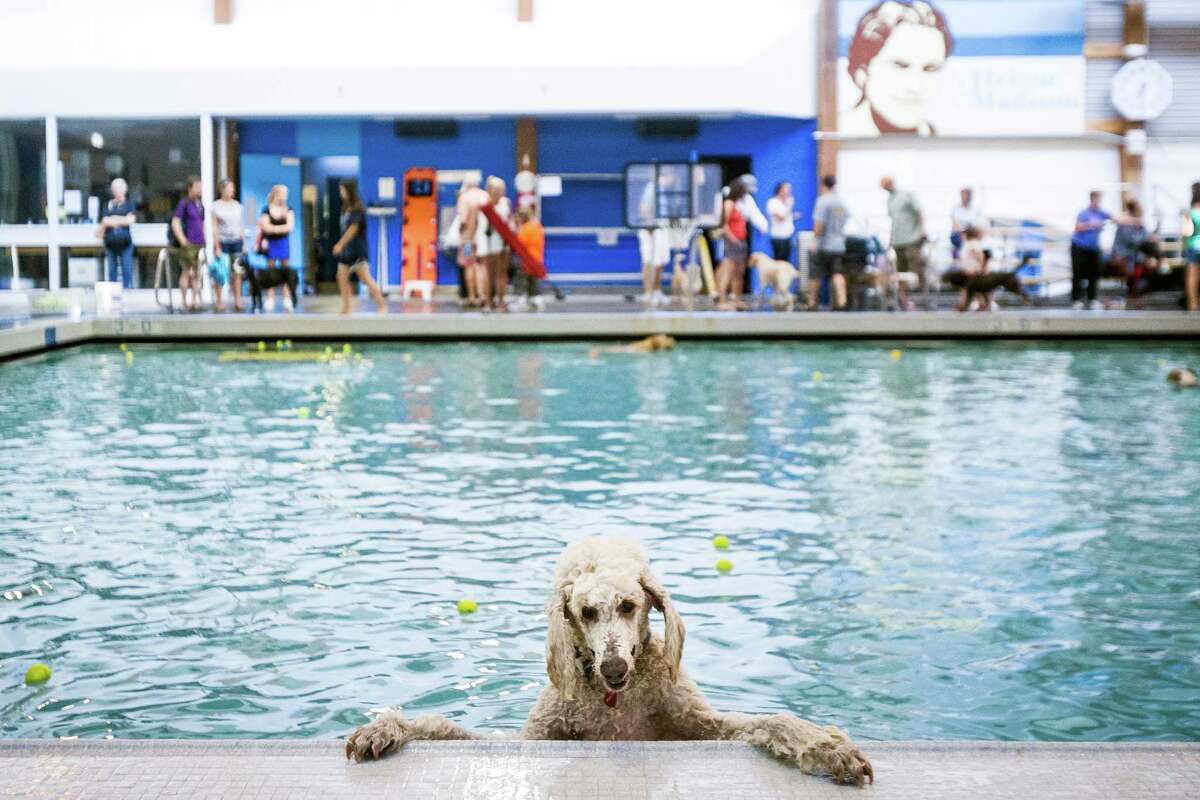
(40, 336)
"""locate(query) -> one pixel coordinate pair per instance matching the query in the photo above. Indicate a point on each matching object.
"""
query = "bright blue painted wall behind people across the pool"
(781, 149)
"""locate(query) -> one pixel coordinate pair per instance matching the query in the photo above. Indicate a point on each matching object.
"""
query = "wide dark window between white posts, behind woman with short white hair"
(155, 158)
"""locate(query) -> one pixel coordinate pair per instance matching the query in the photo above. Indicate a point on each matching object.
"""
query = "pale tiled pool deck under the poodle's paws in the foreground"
(544, 771)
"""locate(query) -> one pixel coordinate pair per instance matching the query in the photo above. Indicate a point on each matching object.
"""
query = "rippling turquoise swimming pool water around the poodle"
(987, 542)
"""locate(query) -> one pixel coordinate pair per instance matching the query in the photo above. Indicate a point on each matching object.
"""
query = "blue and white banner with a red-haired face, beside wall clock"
(961, 68)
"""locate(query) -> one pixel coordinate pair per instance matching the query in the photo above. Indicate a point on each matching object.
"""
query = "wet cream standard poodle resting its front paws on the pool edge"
(613, 679)
